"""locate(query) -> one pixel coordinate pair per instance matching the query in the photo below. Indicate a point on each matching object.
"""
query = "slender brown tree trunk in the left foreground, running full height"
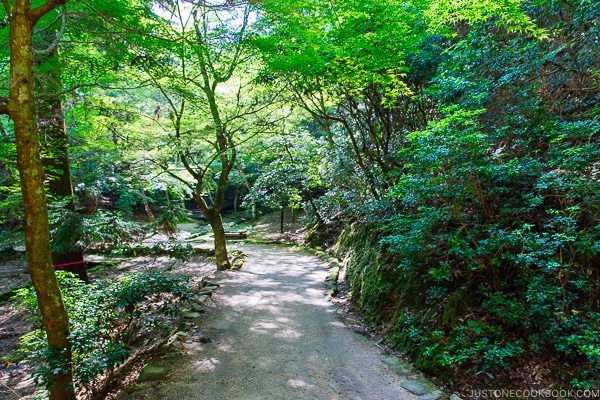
(21, 108)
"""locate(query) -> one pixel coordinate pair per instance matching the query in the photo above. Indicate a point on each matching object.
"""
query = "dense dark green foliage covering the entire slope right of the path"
(491, 209)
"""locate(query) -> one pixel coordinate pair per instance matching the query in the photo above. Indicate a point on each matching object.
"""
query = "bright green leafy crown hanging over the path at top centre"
(356, 43)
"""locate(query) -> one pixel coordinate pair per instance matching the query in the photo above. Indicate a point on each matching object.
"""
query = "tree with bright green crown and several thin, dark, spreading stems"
(346, 64)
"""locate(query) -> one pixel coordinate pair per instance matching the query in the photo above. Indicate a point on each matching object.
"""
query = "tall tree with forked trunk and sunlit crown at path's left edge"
(203, 69)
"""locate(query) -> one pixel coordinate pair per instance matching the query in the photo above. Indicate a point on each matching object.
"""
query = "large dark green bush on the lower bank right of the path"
(517, 231)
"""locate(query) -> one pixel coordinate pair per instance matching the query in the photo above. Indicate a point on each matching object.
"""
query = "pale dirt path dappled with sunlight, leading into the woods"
(274, 335)
